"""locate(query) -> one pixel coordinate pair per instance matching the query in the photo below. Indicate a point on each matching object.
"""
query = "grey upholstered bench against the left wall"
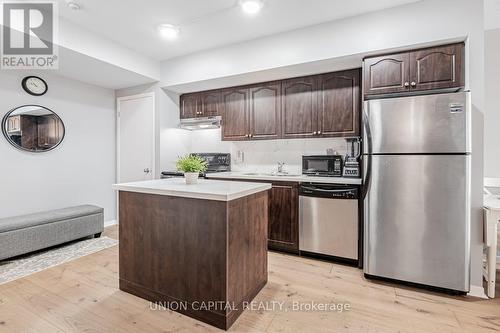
(27, 233)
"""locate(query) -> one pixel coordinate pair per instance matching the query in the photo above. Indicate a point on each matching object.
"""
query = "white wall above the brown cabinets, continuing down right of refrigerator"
(417, 24)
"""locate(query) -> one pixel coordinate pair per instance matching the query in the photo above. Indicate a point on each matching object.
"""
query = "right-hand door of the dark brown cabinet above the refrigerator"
(437, 67)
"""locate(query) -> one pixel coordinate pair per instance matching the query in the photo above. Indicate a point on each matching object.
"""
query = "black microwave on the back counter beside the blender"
(322, 165)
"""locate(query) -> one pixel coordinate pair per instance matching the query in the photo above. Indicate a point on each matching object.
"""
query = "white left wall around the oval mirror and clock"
(79, 171)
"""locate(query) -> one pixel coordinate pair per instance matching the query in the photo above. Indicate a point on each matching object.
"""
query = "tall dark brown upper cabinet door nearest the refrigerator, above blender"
(339, 104)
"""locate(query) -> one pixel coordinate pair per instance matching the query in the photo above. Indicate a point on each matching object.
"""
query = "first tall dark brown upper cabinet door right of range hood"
(234, 108)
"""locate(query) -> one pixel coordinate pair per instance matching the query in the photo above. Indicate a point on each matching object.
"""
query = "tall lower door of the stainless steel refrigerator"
(417, 219)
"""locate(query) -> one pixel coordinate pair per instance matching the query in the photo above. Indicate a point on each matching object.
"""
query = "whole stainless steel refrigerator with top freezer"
(417, 189)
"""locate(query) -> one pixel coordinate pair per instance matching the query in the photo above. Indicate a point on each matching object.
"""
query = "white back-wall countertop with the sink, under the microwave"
(287, 178)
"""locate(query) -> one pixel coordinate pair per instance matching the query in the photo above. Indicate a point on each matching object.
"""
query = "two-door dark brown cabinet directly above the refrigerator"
(439, 67)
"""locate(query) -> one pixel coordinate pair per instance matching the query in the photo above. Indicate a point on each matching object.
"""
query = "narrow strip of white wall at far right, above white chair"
(492, 105)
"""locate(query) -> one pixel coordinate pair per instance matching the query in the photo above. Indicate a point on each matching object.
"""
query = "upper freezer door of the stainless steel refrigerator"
(421, 124)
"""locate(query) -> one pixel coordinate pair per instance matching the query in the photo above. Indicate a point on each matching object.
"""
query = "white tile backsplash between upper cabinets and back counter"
(263, 156)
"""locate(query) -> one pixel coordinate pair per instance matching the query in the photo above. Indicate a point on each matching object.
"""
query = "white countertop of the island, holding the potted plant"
(205, 189)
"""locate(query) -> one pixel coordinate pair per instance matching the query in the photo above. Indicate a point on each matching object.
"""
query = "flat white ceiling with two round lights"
(206, 24)
